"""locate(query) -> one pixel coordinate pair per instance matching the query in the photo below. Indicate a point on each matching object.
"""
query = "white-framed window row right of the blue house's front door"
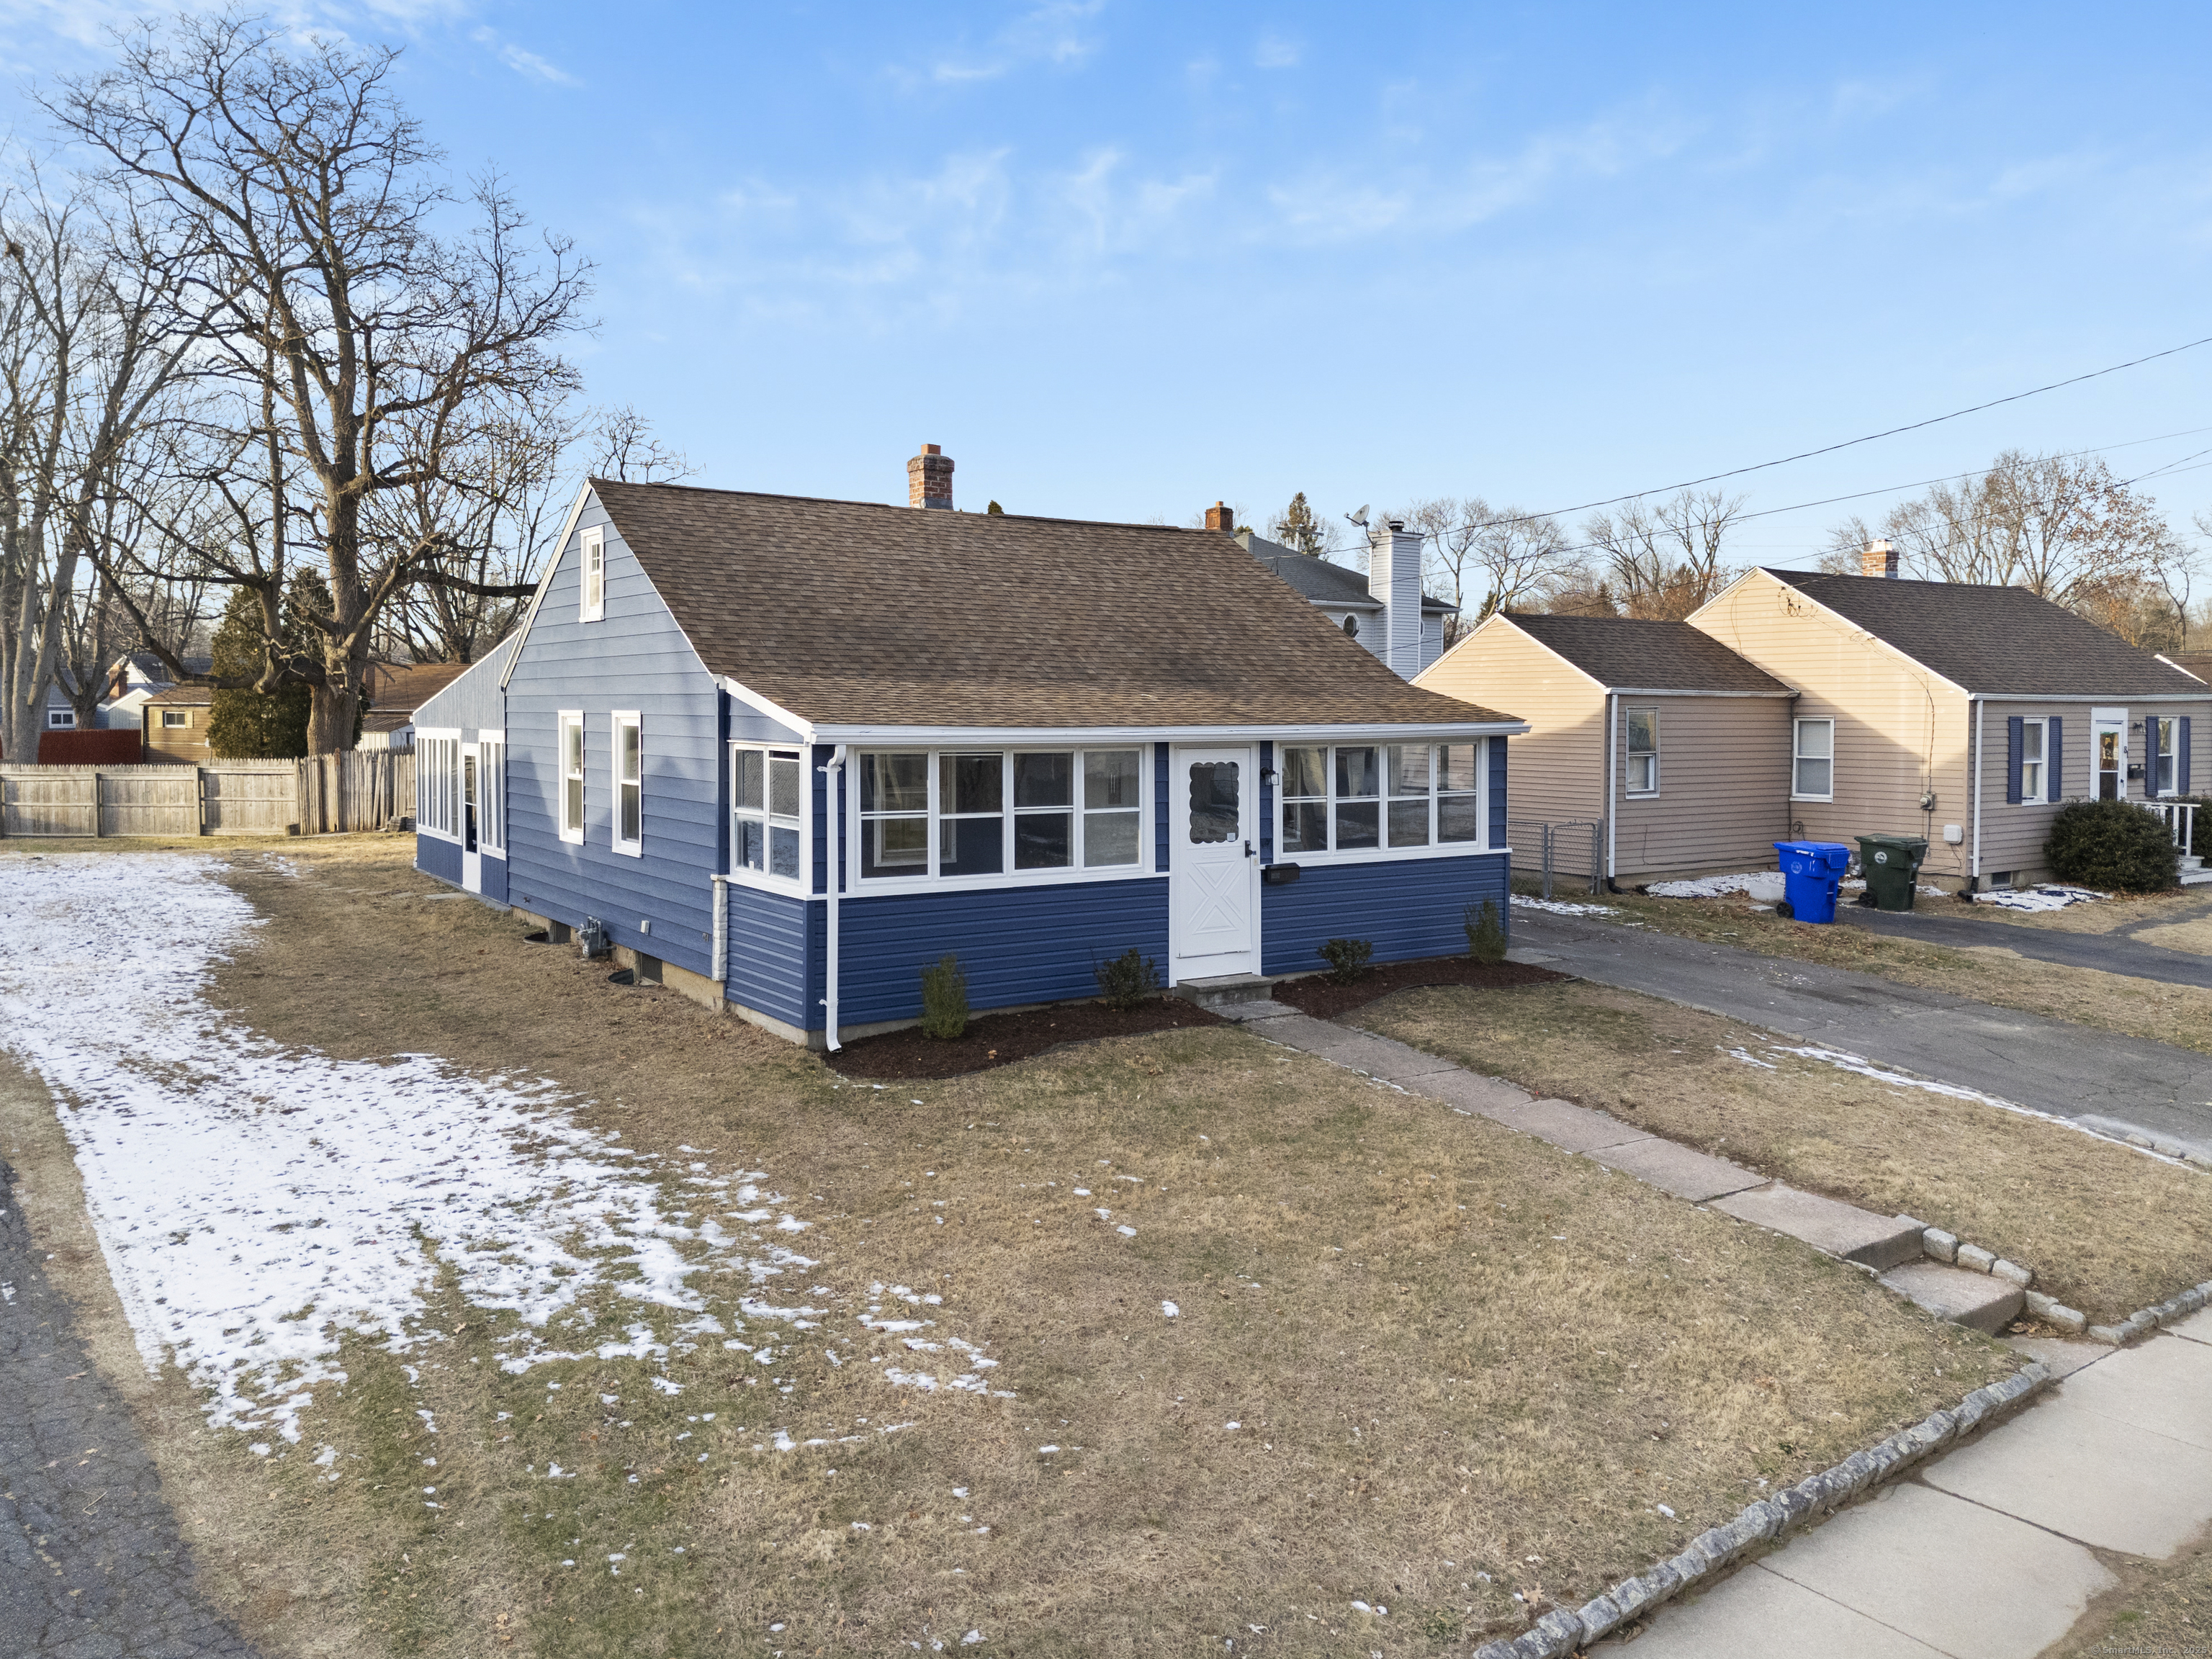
(1364, 797)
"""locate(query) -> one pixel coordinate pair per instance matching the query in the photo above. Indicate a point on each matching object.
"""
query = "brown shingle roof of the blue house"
(853, 614)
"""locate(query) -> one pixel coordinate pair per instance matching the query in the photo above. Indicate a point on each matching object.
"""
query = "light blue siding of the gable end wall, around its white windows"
(634, 658)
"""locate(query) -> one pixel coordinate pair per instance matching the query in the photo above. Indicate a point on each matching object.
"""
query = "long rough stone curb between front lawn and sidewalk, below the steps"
(1563, 1631)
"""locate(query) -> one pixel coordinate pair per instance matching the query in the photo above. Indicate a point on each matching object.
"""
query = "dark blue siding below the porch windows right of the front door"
(1410, 908)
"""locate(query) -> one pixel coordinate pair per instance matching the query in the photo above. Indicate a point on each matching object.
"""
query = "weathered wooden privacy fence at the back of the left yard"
(322, 795)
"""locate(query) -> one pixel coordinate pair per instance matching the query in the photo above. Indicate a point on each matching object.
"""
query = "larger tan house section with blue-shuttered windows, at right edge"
(1961, 713)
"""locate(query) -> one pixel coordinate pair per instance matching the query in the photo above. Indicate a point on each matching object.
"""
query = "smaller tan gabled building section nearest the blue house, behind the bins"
(1665, 742)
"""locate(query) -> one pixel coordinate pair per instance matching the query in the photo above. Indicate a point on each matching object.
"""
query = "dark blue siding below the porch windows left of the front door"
(1016, 943)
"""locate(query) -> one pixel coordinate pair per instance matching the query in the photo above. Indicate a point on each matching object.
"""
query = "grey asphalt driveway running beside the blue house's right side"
(2049, 1065)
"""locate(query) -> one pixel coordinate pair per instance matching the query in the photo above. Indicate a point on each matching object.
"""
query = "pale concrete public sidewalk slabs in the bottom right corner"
(1996, 1550)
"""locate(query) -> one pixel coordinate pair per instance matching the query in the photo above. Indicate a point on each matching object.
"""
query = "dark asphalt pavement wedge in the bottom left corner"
(92, 1565)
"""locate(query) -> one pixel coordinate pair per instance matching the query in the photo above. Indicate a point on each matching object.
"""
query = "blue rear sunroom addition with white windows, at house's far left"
(461, 780)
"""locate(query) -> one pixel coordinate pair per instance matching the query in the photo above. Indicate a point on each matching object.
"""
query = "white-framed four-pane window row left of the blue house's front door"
(997, 813)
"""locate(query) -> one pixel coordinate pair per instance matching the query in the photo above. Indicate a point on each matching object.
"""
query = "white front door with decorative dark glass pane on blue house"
(1213, 864)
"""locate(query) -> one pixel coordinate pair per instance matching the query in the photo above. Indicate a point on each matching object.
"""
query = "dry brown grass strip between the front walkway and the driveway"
(2103, 1227)
